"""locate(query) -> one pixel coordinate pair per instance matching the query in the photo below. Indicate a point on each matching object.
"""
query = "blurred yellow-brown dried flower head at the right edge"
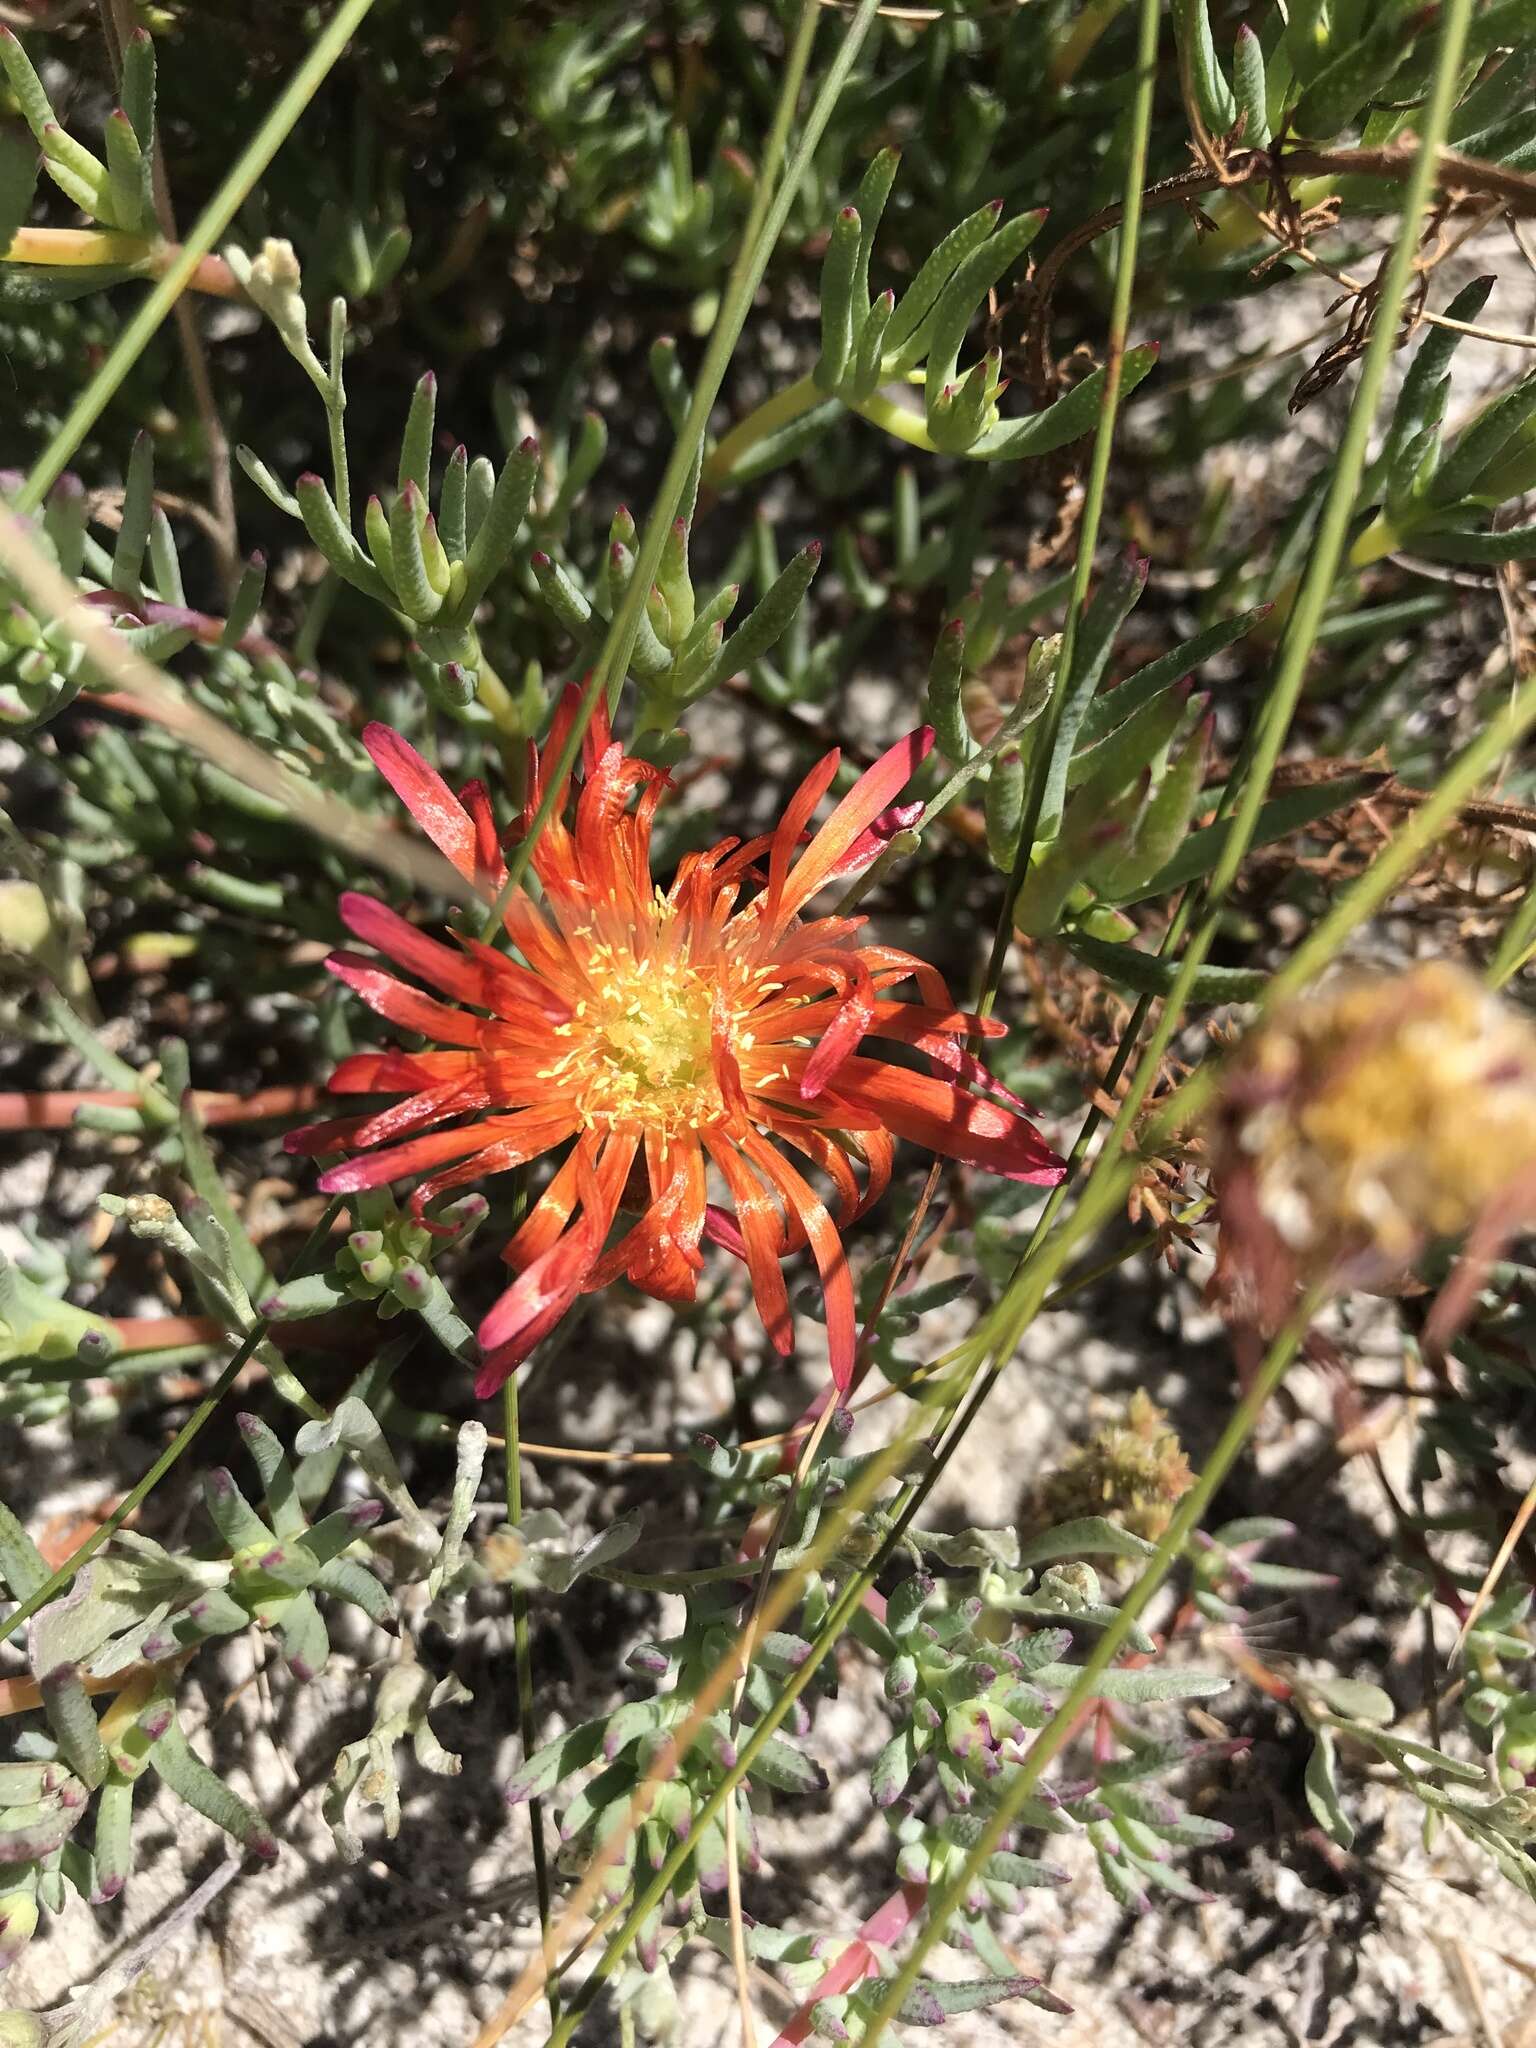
(1367, 1121)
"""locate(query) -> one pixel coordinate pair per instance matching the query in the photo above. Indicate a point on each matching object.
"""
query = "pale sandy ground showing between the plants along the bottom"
(1394, 1945)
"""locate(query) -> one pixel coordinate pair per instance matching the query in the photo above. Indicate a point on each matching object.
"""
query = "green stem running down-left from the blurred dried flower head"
(1058, 1732)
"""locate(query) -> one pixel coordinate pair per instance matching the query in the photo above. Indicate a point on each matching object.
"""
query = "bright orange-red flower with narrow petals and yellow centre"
(667, 1033)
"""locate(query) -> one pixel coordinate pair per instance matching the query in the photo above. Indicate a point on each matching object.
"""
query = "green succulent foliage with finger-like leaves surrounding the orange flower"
(507, 222)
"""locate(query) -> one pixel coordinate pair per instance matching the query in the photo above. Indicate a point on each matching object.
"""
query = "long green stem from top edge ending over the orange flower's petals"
(763, 230)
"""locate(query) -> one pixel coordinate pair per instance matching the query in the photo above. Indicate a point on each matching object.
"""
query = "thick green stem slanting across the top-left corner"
(214, 220)
